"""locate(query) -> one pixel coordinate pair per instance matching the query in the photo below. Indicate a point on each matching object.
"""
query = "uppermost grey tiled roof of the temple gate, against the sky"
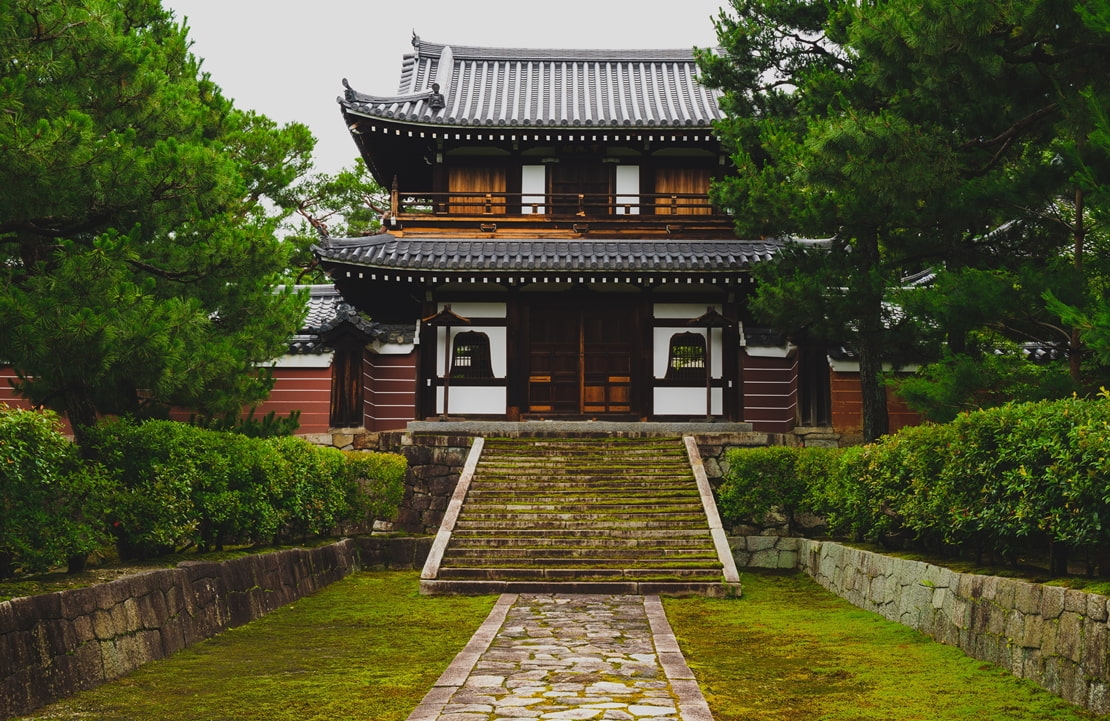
(521, 88)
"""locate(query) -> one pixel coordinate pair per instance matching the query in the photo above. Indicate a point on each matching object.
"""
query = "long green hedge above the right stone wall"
(996, 481)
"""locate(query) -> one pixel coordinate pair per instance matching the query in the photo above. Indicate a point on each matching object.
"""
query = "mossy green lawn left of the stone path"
(367, 647)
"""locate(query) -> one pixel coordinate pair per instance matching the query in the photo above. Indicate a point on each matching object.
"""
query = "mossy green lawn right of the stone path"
(788, 651)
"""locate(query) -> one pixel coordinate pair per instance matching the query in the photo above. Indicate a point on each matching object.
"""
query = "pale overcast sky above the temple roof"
(287, 58)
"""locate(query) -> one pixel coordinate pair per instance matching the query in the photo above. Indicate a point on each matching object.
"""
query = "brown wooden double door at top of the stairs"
(581, 359)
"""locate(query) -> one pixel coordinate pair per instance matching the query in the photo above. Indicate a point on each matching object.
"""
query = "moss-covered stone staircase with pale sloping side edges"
(580, 515)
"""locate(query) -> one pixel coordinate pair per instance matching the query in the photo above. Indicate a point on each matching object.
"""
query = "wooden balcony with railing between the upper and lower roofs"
(644, 216)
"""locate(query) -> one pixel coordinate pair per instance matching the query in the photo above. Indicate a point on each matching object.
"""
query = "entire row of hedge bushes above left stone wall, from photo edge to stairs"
(158, 486)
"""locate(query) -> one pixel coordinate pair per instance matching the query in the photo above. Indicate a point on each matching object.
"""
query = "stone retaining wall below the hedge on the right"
(1057, 638)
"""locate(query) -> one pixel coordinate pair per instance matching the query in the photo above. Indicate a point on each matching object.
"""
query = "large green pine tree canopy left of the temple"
(138, 249)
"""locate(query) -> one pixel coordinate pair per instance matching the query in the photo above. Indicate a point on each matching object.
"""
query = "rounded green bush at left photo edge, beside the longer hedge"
(49, 501)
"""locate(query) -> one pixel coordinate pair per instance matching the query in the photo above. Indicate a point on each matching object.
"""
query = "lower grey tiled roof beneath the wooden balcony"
(388, 252)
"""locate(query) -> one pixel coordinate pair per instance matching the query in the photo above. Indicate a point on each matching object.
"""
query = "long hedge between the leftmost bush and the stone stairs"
(180, 485)
